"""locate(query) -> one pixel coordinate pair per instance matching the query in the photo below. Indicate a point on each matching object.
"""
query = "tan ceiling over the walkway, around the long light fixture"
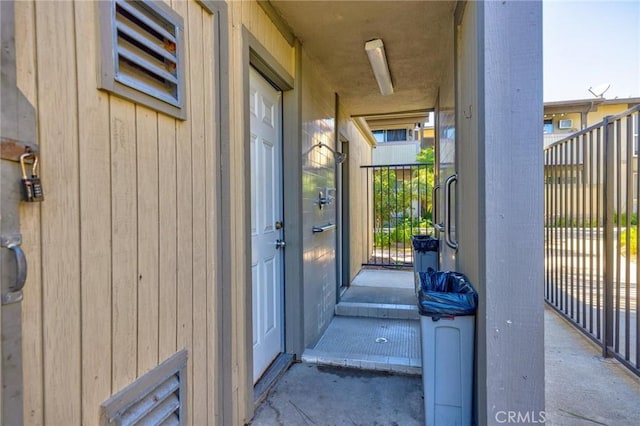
(334, 33)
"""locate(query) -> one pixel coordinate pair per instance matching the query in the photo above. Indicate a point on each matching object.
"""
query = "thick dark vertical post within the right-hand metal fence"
(609, 238)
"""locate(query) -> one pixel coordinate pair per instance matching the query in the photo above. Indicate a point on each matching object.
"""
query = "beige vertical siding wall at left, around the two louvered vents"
(123, 249)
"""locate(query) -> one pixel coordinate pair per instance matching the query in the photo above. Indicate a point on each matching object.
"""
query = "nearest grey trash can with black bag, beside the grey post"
(447, 303)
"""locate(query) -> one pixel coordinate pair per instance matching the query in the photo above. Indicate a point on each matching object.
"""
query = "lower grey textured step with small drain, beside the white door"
(377, 344)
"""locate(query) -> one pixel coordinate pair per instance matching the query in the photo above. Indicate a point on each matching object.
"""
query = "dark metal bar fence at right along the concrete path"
(591, 238)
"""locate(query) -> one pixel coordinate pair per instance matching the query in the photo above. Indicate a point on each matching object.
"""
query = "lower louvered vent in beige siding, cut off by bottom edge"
(157, 398)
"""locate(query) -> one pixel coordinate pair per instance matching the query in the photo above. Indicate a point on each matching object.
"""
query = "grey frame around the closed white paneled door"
(255, 55)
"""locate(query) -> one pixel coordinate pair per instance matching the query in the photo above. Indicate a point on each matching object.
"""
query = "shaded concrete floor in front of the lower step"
(323, 395)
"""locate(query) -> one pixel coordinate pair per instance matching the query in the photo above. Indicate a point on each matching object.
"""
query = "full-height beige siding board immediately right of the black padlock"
(58, 120)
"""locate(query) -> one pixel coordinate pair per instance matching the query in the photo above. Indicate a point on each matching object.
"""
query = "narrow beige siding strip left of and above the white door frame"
(244, 15)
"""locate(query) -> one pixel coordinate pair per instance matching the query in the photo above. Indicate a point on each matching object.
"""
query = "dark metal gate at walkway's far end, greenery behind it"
(400, 205)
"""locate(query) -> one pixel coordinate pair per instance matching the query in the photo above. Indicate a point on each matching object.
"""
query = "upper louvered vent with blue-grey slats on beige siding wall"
(142, 54)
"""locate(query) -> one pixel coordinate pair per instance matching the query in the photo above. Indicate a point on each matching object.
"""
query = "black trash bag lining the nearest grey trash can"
(444, 294)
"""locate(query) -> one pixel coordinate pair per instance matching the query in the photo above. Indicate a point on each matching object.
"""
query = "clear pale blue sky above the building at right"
(591, 43)
